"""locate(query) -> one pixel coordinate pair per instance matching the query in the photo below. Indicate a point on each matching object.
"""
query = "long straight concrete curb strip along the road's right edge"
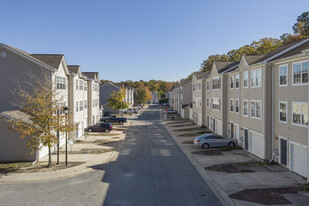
(221, 195)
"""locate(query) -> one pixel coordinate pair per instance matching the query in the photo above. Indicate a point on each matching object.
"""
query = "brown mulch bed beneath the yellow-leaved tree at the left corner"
(37, 167)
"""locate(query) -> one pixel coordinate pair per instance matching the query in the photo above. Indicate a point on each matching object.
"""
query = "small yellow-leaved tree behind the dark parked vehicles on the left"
(117, 100)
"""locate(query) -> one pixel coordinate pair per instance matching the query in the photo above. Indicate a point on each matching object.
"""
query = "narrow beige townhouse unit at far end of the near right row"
(197, 95)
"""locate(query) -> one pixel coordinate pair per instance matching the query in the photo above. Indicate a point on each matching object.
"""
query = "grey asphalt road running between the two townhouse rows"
(150, 170)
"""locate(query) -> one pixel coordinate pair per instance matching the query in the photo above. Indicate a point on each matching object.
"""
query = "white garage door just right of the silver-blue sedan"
(256, 144)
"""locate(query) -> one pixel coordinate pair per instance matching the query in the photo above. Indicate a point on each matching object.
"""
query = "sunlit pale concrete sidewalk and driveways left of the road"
(92, 142)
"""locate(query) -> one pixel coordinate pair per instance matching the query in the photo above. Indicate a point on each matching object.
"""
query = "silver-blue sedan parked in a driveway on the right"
(213, 140)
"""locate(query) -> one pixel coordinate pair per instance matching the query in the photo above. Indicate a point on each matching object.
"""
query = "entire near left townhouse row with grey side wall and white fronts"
(20, 68)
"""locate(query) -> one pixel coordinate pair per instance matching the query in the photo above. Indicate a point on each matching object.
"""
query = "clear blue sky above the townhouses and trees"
(142, 39)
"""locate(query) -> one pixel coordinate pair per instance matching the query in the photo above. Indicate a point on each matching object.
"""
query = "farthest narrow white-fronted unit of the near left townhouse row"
(93, 107)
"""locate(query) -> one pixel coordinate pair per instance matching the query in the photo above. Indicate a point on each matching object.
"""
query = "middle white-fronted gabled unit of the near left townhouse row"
(78, 100)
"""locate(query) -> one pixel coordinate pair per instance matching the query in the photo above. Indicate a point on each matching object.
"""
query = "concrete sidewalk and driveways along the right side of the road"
(225, 184)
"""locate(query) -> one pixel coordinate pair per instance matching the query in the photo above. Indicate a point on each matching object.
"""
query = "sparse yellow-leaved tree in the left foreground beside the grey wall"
(43, 103)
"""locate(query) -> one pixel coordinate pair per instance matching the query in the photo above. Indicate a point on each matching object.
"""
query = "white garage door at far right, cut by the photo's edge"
(298, 159)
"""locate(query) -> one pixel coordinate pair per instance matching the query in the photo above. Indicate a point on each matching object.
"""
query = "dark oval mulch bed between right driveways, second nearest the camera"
(230, 168)
